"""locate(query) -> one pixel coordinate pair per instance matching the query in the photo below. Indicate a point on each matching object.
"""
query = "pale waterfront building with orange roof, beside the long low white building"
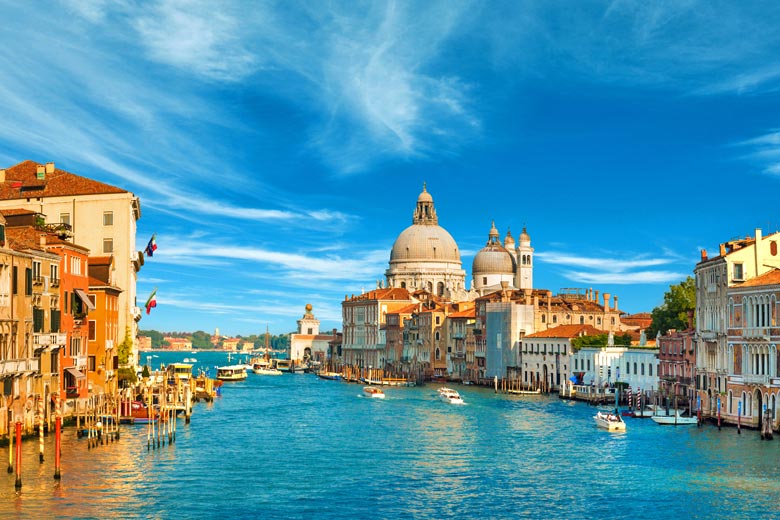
(546, 356)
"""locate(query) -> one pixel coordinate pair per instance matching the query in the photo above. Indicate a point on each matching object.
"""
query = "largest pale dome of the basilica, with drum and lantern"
(426, 257)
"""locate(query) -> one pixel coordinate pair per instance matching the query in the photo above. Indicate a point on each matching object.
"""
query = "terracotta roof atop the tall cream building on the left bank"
(56, 184)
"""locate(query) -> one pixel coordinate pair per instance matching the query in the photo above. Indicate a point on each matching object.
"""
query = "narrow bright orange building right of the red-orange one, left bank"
(103, 332)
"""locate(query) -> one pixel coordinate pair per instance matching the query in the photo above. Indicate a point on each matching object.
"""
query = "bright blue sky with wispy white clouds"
(278, 148)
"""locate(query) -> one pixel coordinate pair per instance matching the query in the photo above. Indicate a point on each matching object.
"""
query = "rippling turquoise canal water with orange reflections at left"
(295, 446)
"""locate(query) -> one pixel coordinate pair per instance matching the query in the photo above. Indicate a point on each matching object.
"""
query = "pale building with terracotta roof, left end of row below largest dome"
(364, 319)
